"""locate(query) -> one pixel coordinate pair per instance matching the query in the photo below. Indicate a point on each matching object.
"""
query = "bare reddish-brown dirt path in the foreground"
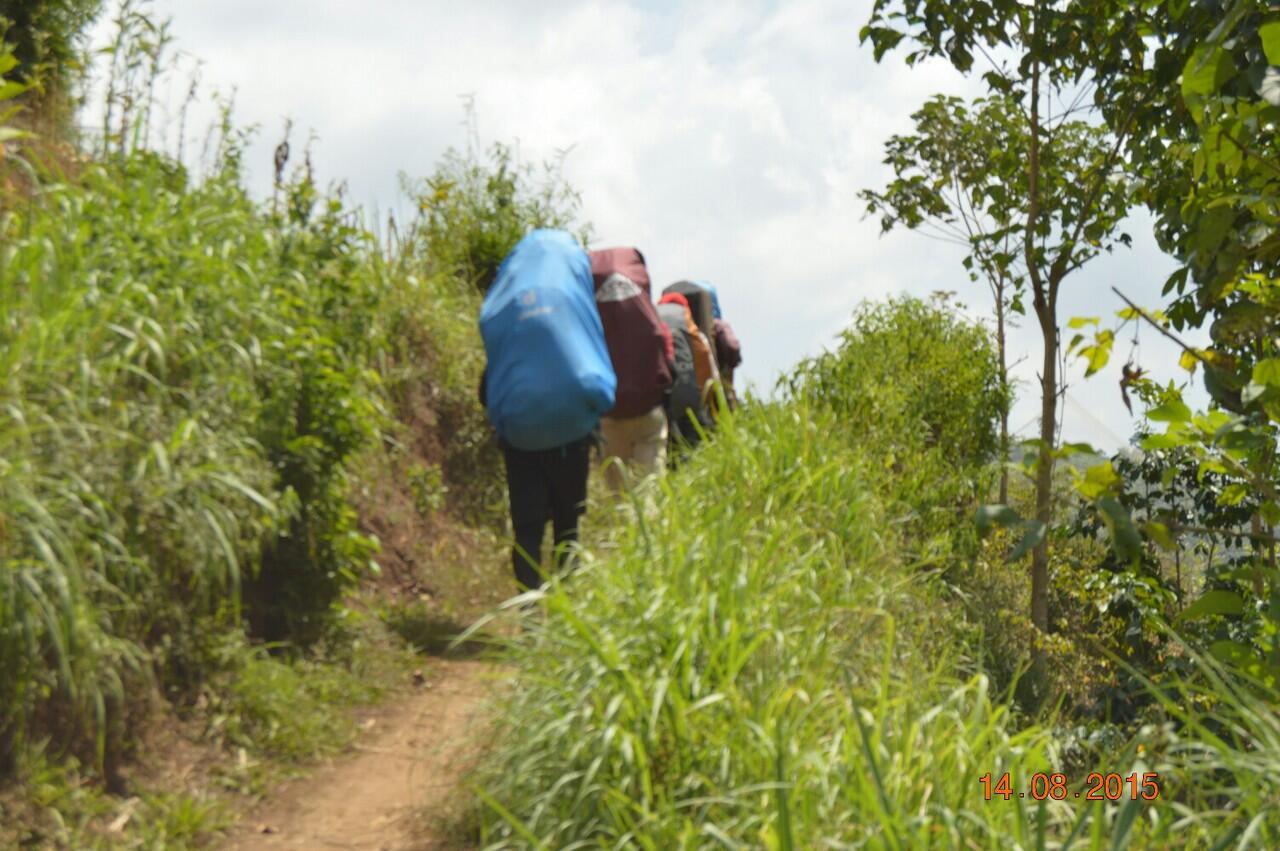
(387, 795)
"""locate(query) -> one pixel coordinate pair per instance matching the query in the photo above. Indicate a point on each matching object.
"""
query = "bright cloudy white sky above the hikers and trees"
(726, 139)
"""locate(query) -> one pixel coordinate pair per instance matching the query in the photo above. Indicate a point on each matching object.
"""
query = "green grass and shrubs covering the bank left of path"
(188, 378)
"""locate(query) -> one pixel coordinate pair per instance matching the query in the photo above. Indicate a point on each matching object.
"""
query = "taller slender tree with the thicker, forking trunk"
(1076, 195)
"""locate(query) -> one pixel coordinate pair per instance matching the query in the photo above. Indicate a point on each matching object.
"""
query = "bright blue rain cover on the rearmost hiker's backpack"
(550, 378)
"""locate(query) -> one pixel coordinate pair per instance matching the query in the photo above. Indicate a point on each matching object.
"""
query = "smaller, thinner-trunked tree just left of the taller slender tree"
(948, 185)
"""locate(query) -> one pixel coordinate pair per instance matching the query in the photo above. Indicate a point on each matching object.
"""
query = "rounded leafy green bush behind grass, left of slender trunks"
(924, 386)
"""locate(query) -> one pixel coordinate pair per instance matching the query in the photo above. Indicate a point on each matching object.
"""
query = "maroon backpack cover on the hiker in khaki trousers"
(633, 332)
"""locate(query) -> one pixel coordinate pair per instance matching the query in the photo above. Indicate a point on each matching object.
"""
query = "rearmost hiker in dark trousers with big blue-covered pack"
(546, 386)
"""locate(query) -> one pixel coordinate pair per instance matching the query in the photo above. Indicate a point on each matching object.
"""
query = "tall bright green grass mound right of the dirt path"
(744, 660)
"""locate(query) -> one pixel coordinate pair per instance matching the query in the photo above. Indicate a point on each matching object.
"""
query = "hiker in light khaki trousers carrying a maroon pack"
(641, 347)
